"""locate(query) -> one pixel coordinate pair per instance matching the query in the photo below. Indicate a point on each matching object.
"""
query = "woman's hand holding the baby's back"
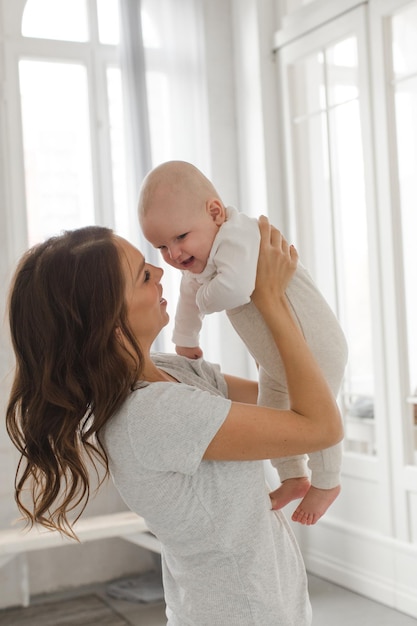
(277, 263)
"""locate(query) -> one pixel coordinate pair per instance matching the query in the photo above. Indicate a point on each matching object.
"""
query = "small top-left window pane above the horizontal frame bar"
(53, 19)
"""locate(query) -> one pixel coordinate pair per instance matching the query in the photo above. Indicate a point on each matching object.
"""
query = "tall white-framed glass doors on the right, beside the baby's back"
(351, 137)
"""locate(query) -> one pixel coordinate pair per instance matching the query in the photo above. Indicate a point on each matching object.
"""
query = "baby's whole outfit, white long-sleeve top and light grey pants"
(227, 283)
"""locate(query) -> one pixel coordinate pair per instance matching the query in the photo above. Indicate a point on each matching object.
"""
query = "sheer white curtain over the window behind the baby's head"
(162, 58)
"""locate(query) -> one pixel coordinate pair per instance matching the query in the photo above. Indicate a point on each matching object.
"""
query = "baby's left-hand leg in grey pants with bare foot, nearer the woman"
(250, 326)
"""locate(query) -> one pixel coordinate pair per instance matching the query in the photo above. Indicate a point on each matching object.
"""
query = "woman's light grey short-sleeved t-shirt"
(228, 560)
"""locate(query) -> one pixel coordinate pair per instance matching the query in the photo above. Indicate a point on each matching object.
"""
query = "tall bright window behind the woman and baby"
(72, 162)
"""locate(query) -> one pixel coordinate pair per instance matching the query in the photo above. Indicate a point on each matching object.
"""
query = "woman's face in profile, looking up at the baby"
(146, 308)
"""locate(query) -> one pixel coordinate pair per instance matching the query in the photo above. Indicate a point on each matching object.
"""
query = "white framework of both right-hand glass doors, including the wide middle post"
(394, 470)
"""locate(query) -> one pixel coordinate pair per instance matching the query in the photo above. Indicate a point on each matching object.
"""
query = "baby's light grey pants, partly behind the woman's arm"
(327, 342)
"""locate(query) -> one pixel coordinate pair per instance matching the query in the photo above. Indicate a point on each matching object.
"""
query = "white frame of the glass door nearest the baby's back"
(374, 469)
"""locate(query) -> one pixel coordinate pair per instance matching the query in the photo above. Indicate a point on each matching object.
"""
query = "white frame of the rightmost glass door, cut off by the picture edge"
(402, 442)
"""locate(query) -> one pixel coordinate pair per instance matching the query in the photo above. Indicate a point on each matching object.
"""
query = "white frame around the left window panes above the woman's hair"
(95, 58)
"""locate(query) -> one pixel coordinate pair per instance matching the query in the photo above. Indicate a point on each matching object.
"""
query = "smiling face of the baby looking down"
(183, 233)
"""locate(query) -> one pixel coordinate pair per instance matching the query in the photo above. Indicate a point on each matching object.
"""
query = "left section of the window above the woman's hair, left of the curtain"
(72, 117)
